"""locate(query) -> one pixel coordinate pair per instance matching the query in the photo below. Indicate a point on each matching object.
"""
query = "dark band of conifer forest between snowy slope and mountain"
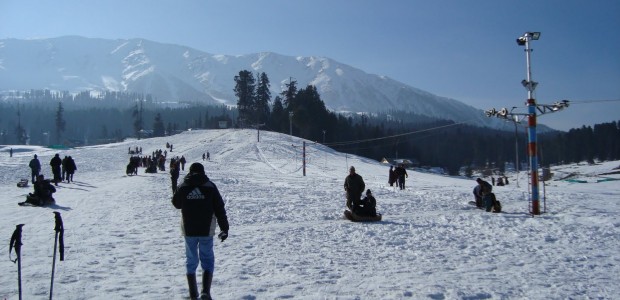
(109, 117)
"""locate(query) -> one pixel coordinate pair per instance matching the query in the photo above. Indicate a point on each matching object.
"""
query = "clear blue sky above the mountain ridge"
(464, 50)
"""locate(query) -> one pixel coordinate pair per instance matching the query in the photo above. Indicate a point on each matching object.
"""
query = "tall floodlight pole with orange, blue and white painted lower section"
(531, 120)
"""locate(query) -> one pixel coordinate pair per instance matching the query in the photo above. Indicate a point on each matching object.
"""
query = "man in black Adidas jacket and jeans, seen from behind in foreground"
(200, 201)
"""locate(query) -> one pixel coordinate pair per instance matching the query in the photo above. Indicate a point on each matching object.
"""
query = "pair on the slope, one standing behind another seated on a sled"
(354, 186)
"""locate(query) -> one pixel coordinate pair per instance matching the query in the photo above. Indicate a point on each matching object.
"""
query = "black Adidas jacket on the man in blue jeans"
(201, 205)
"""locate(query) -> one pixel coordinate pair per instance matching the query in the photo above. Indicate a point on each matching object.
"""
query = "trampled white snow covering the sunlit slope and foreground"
(288, 238)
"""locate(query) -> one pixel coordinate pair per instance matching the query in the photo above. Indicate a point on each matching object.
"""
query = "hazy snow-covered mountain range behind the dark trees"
(179, 73)
